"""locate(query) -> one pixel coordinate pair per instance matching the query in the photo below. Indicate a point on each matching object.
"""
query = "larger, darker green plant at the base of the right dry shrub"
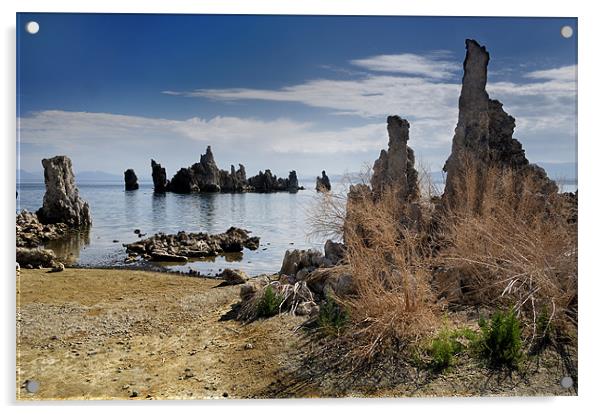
(501, 341)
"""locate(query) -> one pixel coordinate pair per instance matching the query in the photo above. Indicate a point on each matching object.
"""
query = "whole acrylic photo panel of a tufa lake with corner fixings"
(280, 206)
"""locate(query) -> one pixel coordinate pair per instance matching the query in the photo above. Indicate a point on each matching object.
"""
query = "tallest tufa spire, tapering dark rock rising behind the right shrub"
(484, 136)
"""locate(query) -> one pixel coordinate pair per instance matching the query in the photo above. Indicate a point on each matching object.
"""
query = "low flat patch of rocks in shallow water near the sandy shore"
(183, 246)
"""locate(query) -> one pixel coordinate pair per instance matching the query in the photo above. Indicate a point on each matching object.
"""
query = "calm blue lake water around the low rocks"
(279, 219)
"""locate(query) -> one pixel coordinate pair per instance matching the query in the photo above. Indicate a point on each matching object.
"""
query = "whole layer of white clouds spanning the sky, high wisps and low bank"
(543, 103)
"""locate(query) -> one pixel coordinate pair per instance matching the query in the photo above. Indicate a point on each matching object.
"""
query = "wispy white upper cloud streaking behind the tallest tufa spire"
(544, 105)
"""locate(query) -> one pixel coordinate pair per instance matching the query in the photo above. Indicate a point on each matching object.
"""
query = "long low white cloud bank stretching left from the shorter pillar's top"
(80, 130)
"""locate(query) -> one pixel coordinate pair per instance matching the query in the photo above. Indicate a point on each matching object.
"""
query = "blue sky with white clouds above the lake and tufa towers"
(280, 92)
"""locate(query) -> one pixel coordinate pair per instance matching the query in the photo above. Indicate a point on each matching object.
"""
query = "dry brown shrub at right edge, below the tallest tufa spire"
(517, 248)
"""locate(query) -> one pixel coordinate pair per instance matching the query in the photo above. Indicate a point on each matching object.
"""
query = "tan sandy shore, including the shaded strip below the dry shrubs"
(124, 334)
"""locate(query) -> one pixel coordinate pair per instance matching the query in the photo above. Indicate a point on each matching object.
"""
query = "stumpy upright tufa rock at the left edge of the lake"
(62, 203)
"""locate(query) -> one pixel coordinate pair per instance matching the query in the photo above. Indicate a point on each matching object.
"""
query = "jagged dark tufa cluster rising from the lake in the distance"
(205, 176)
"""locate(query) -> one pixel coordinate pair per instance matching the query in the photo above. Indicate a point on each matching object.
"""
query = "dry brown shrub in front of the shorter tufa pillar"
(393, 305)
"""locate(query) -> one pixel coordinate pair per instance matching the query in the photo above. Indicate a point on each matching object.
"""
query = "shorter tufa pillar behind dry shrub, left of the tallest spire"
(394, 169)
